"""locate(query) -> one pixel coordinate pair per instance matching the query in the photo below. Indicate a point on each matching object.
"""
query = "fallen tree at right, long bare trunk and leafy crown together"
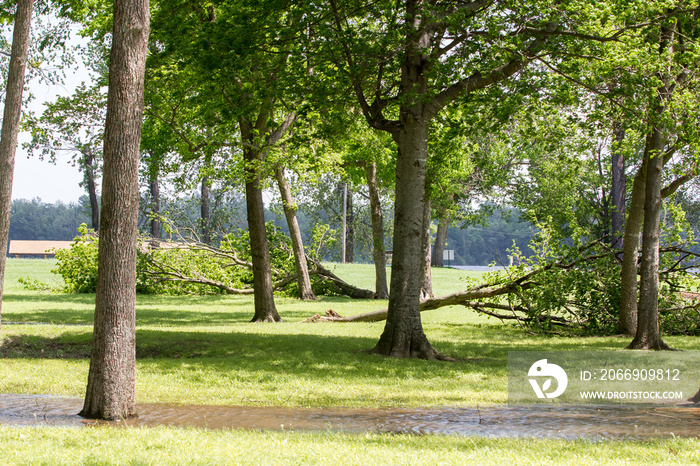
(574, 292)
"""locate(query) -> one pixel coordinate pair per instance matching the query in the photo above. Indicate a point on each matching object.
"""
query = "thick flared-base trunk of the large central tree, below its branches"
(403, 335)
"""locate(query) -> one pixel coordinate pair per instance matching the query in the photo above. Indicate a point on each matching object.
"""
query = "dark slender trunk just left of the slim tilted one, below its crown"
(265, 309)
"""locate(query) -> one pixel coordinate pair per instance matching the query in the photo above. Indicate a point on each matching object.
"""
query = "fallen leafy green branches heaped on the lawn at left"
(196, 268)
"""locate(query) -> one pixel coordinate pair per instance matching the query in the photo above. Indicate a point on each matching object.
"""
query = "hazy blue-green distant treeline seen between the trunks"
(473, 245)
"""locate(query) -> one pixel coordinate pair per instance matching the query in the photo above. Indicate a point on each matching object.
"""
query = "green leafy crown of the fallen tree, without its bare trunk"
(574, 285)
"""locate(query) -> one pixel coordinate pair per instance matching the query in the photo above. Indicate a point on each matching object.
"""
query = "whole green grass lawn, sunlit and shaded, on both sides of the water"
(203, 350)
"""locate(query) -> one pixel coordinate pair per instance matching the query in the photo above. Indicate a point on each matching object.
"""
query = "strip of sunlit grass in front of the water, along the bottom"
(195, 446)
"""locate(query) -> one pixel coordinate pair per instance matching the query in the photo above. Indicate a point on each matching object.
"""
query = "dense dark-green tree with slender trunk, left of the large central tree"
(243, 79)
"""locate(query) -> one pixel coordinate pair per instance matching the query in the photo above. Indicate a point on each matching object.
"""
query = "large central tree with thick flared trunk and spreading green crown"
(405, 62)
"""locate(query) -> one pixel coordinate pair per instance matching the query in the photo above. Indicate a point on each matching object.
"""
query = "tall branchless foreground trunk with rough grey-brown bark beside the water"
(111, 384)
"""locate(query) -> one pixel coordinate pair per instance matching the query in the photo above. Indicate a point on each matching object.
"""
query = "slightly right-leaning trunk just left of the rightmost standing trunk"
(627, 320)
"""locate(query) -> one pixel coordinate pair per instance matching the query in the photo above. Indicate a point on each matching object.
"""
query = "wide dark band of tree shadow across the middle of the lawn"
(487, 348)
